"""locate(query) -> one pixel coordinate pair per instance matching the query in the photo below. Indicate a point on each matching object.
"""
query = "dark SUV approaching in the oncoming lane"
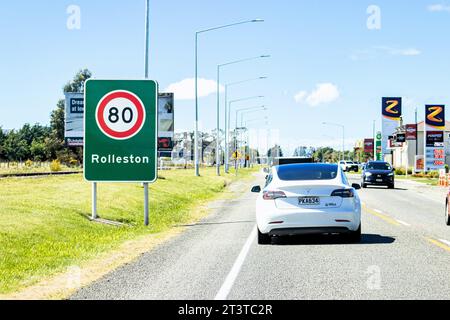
(378, 173)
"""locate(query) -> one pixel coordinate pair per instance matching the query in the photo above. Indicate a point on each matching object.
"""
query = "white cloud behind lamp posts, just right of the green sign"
(185, 89)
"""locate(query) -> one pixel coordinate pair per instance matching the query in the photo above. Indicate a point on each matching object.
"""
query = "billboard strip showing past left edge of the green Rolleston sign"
(74, 115)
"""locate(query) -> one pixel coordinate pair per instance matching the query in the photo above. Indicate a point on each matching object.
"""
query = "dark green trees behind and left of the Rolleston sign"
(44, 143)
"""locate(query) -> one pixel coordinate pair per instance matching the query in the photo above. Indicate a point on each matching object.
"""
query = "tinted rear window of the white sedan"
(307, 172)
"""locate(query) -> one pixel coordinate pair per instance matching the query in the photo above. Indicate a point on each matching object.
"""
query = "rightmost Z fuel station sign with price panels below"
(434, 137)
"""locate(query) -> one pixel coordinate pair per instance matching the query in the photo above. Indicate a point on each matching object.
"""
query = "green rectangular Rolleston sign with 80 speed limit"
(120, 126)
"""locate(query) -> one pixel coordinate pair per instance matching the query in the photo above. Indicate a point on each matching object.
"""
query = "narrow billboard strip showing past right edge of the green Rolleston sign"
(166, 125)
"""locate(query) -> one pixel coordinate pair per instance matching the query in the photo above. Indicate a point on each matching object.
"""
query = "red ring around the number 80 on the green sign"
(120, 134)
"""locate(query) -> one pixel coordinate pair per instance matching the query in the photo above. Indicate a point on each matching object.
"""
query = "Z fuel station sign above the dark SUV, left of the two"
(391, 114)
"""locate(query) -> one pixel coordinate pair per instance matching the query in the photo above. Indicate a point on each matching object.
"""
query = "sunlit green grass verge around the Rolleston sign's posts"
(44, 225)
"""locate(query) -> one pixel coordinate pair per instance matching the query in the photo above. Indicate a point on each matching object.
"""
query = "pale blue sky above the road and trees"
(310, 42)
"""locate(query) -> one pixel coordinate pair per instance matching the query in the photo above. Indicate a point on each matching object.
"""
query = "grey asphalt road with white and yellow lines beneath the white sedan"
(404, 254)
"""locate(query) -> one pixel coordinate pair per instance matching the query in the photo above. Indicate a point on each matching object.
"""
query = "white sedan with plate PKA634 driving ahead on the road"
(307, 199)
